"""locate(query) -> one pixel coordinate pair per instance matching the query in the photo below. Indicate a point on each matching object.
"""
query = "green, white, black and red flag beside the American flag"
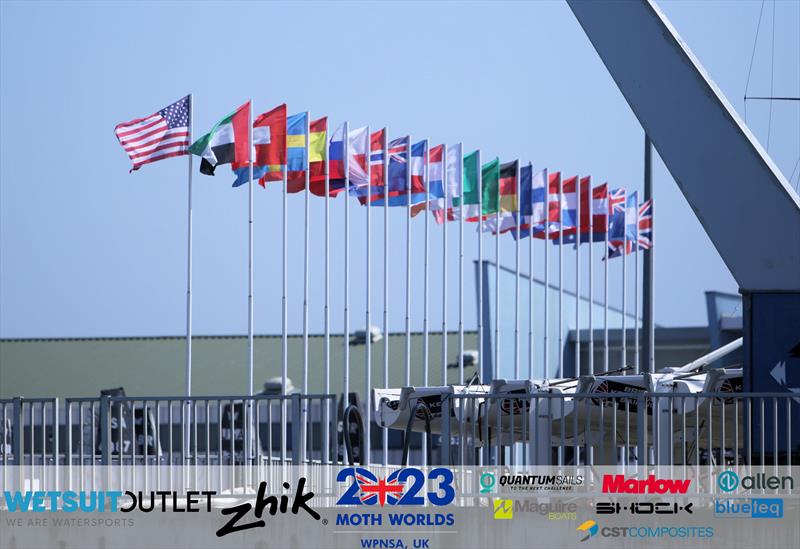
(226, 143)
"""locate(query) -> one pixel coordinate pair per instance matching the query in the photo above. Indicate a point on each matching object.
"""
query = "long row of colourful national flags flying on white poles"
(508, 197)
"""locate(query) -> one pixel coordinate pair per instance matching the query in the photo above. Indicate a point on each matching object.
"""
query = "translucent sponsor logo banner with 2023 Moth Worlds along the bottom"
(446, 507)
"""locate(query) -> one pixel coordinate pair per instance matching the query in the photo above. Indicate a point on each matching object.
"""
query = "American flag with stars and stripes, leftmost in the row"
(161, 135)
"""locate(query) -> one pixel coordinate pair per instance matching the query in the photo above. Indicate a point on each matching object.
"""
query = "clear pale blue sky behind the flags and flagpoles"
(87, 249)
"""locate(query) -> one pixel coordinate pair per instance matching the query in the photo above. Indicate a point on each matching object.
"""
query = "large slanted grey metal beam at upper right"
(719, 165)
